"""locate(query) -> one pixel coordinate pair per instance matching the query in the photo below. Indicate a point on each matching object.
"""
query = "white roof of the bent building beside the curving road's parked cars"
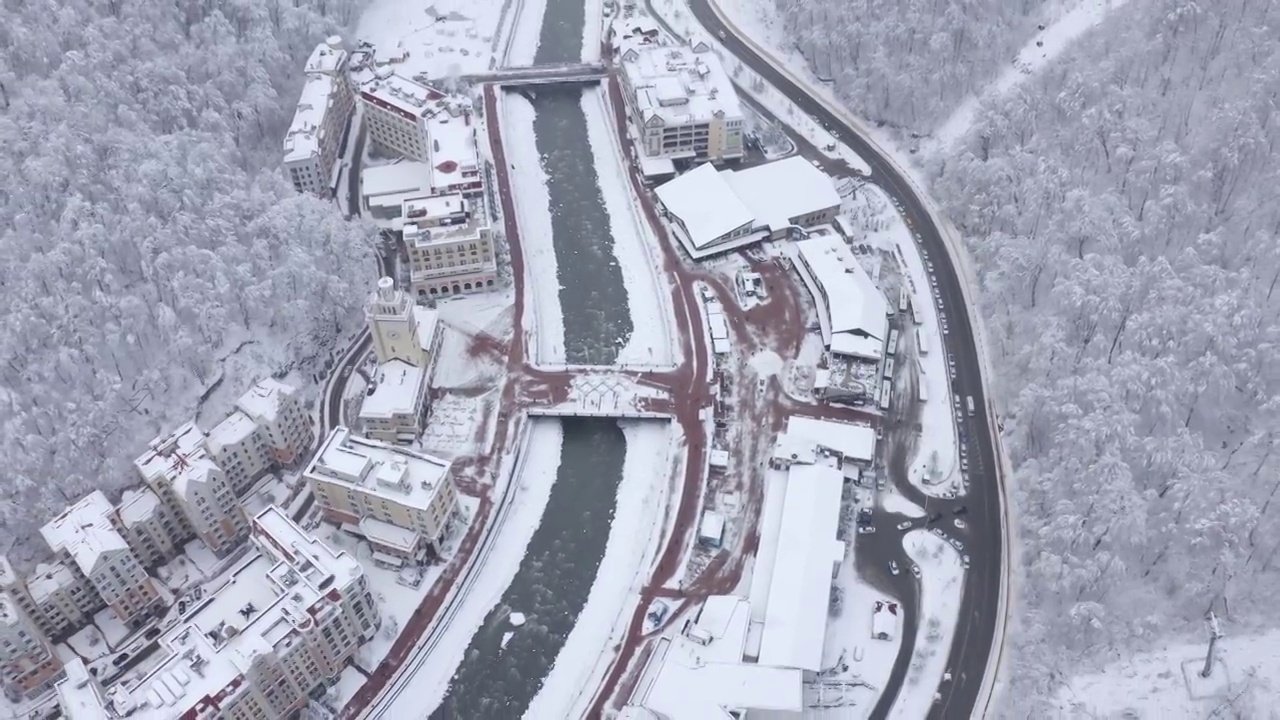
(853, 303)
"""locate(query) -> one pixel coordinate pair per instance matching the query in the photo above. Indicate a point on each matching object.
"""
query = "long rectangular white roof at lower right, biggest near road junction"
(796, 619)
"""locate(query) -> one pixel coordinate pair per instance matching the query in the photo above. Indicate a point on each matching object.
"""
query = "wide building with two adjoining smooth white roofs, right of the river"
(714, 212)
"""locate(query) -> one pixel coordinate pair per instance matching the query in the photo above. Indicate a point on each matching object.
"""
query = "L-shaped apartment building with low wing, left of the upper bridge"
(422, 124)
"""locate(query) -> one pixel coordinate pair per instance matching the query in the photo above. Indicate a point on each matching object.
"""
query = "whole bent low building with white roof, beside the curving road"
(853, 313)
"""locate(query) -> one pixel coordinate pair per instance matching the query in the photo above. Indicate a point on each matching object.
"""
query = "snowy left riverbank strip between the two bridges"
(545, 322)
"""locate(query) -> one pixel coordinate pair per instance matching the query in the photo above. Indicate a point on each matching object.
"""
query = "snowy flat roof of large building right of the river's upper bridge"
(679, 84)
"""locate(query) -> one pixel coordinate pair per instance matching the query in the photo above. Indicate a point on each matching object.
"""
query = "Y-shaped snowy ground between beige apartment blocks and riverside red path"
(394, 593)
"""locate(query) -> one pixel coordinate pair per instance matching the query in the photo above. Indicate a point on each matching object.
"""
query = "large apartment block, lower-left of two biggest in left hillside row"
(88, 539)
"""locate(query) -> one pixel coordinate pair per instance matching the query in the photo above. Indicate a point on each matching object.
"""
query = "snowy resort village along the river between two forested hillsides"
(655, 414)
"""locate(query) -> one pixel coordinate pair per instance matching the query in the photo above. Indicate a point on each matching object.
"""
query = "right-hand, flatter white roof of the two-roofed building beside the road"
(785, 190)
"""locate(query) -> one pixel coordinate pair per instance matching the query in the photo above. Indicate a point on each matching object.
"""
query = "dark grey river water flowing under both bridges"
(565, 554)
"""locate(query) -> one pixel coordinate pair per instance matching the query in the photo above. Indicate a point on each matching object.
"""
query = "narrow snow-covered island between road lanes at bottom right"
(941, 587)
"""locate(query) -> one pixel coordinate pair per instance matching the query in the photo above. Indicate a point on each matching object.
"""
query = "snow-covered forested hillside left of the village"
(145, 231)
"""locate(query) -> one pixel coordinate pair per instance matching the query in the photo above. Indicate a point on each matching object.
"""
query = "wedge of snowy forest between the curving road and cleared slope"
(908, 63)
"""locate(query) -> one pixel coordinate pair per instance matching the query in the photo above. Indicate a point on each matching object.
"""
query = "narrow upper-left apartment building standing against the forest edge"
(321, 122)
